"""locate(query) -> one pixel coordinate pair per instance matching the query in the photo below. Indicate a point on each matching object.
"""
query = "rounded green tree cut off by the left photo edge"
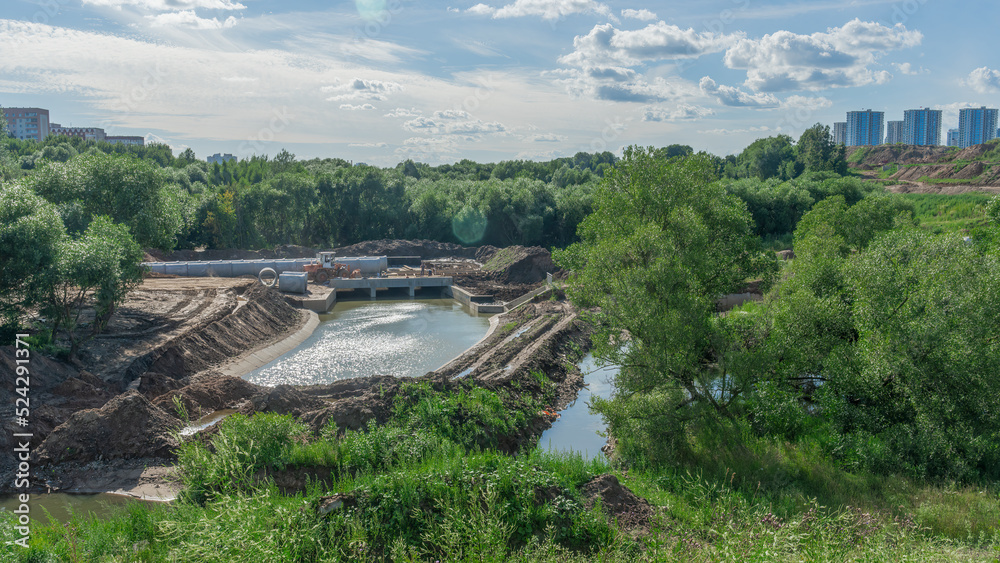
(30, 234)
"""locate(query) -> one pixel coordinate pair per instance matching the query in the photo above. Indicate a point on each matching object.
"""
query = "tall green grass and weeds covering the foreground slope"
(431, 486)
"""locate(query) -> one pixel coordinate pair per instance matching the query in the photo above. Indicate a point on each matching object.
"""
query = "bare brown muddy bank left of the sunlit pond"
(160, 340)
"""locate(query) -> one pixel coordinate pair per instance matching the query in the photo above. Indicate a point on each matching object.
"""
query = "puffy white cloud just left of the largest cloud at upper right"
(607, 46)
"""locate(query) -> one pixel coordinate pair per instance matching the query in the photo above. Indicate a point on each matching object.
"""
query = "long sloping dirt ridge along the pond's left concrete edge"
(265, 317)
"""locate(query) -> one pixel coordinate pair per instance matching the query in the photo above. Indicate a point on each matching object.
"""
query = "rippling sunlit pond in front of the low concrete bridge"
(362, 338)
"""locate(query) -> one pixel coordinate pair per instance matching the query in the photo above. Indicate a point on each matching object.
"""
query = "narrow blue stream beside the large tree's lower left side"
(576, 428)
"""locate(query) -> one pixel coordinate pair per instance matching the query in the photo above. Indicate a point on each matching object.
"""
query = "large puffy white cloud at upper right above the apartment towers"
(839, 57)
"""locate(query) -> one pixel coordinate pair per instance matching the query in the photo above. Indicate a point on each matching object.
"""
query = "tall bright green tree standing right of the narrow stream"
(663, 243)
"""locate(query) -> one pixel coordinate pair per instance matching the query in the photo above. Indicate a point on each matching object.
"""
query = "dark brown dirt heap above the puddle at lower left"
(128, 426)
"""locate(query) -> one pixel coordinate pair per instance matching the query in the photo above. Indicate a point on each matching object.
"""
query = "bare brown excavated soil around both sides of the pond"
(112, 413)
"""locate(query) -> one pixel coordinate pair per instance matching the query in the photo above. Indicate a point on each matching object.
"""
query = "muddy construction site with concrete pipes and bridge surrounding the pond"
(200, 322)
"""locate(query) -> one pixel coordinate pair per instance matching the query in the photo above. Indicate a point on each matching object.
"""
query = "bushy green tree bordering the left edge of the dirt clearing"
(100, 267)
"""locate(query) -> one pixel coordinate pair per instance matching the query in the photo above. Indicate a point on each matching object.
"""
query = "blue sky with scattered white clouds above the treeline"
(382, 81)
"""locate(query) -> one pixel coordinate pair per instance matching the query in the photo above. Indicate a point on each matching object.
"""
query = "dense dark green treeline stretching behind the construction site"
(262, 202)
